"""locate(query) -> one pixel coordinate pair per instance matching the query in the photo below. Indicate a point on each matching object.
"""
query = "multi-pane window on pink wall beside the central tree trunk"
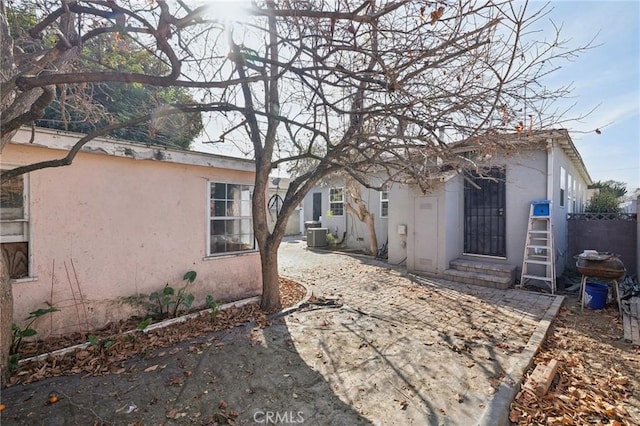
(230, 219)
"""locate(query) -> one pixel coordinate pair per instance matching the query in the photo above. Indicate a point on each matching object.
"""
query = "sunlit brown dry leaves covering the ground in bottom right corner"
(598, 377)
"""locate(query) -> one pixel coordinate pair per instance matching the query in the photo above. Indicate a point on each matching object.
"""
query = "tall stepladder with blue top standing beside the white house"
(539, 252)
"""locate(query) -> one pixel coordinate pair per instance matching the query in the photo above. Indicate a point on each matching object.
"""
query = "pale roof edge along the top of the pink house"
(62, 140)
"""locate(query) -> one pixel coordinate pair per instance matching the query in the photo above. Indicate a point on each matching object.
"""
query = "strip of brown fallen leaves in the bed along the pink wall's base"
(108, 352)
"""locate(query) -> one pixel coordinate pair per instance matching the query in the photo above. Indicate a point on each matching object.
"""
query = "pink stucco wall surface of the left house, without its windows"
(106, 228)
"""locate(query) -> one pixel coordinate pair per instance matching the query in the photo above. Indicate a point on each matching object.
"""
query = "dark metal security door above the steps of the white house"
(484, 213)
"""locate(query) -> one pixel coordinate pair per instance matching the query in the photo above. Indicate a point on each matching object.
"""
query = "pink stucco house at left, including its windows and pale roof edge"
(96, 237)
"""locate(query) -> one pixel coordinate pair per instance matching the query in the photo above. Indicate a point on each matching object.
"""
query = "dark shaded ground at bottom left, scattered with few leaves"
(248, 375)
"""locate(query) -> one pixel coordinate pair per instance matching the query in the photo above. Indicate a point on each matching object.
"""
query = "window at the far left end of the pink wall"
(14, 225)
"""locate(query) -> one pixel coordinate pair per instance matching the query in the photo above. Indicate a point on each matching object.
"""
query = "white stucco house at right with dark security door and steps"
(466, 227)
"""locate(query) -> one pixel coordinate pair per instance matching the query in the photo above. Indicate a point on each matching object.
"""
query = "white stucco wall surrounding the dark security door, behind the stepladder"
(527, 179)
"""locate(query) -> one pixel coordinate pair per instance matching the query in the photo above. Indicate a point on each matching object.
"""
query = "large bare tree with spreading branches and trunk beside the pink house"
(317, 86)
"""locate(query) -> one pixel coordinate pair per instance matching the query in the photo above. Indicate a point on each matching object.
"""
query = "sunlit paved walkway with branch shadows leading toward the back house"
(404, 349)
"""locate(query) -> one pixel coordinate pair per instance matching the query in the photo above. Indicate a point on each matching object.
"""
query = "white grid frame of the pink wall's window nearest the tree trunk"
(211, 217)
